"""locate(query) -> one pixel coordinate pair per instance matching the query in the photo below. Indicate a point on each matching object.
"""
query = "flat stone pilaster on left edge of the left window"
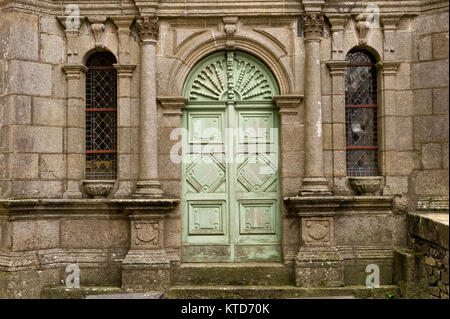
(75, 142)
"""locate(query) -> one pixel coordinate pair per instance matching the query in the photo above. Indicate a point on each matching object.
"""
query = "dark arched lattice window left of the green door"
(101, 117)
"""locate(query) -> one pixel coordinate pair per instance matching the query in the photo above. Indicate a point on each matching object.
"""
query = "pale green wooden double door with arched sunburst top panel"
(231, 208)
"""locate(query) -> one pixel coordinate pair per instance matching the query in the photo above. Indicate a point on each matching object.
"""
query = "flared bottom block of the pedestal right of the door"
(319, 267)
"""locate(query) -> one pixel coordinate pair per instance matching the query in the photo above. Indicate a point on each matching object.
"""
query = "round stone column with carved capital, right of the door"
(314, 183)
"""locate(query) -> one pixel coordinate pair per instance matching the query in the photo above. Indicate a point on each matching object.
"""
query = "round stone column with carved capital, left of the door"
(148, 185)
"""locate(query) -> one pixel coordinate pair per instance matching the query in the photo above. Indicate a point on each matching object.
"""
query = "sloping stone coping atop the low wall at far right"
(432, 227)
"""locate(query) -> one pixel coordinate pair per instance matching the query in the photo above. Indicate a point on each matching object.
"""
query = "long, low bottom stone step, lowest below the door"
(280, 292)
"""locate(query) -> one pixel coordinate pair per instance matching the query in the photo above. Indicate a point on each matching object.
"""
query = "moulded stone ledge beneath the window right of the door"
(305, 205)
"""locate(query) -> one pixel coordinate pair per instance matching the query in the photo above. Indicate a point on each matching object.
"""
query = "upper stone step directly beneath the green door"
(232, 274)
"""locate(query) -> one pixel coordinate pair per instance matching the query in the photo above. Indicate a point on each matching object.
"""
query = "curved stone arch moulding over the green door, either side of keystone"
(209, 44)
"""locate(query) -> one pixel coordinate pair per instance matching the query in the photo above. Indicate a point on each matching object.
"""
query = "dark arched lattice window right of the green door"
(361, 114)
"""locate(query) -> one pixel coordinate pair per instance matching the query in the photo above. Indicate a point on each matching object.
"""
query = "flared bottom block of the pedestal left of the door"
(146, 270)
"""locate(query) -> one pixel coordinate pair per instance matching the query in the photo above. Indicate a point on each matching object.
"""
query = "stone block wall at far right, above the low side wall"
(429, 84)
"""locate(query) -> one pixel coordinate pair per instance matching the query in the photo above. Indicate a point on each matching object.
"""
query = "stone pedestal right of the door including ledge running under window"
(319, 262)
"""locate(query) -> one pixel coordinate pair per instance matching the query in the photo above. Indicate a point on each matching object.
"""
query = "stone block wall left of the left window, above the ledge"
(33, 110)
